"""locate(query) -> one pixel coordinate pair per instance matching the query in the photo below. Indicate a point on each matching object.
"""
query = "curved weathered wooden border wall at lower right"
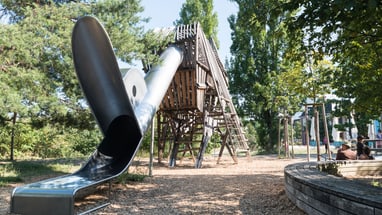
(310, 186)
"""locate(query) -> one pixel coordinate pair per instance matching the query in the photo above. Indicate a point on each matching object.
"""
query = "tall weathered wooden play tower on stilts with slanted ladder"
(198, 103)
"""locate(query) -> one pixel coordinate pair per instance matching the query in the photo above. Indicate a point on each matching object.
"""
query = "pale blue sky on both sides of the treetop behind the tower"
(164, 13)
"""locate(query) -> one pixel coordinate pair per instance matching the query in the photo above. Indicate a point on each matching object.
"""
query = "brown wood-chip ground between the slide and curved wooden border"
(253, 186)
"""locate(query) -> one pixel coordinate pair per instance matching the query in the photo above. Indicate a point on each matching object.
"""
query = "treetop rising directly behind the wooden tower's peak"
(200, 11)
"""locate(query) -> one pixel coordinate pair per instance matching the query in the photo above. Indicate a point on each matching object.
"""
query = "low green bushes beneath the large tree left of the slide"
(49, 142)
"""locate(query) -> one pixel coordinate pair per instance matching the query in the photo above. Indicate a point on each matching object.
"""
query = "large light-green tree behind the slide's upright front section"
(37, 77)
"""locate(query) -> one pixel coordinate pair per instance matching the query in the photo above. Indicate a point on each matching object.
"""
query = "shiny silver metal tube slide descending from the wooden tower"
(123, 110)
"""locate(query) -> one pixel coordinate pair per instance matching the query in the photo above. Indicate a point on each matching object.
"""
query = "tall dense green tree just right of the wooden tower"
(259, 46)
